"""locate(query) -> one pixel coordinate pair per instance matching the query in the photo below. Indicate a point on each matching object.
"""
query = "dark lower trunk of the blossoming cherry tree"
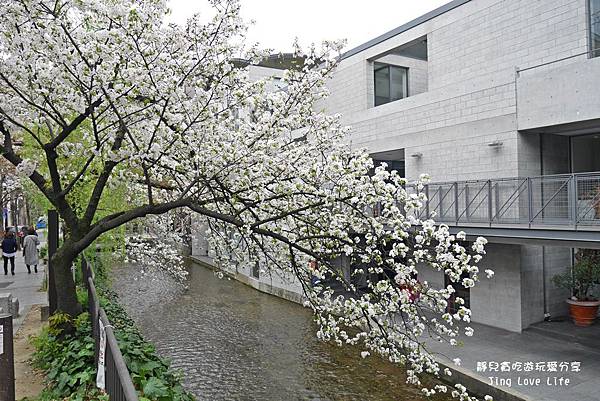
(66, 295)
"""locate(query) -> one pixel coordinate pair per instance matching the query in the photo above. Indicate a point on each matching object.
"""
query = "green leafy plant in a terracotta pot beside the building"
(582, 280)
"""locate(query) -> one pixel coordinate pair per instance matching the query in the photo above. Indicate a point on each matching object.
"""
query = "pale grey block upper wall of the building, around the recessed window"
(471, 94)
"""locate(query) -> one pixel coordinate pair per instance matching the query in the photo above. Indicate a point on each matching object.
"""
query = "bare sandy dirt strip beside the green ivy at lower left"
(29, 382)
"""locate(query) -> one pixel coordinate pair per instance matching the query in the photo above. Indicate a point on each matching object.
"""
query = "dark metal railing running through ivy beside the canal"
(119, 386)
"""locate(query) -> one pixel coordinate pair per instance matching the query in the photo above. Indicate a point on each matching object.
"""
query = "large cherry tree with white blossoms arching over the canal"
(107, 94)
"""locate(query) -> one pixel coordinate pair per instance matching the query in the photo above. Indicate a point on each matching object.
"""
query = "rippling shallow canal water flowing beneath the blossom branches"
(235, 343)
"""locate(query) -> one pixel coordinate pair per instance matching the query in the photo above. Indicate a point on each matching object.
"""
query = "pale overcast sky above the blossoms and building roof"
(278, 22)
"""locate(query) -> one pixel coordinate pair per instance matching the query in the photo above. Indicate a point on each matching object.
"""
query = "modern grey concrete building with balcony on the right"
(477, 91)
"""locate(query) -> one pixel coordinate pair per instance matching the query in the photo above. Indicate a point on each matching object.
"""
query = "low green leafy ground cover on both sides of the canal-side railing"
(68, 359)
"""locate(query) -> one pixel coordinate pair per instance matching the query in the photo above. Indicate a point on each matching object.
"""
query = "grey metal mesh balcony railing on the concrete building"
(568, 201)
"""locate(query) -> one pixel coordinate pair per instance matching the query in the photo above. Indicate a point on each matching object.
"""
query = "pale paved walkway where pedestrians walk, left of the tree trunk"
(23, 286)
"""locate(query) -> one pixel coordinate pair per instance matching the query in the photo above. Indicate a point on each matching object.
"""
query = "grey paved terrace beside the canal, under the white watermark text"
(490, 347)
